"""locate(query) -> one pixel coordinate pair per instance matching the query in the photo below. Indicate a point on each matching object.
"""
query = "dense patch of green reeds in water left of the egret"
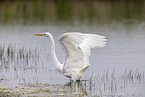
(17, 58)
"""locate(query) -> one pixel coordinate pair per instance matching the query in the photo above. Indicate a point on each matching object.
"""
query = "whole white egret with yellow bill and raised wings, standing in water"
(77, 47)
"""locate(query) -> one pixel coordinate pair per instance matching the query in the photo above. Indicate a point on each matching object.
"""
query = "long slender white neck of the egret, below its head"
(57, 64)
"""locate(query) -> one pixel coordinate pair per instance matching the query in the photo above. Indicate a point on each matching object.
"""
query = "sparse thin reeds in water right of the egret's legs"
(108, 83)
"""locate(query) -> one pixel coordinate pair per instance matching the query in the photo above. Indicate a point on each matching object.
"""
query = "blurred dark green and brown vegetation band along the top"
(71, 12)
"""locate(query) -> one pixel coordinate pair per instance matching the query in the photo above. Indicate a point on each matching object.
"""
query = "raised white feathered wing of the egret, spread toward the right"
(77, 47)
